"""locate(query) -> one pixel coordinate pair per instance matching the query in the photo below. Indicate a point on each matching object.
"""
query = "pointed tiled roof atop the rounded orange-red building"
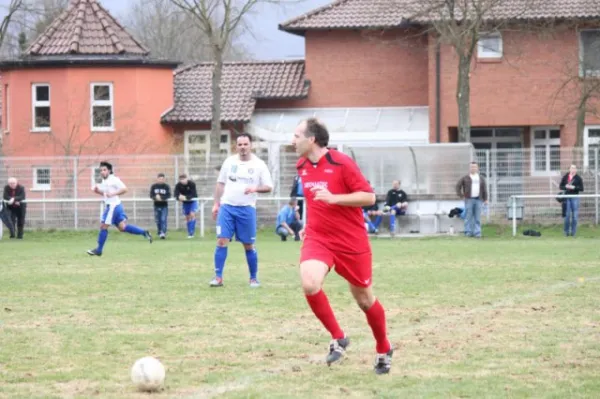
(85, 27)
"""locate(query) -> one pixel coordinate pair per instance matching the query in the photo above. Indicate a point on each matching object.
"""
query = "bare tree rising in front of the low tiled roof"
(220, 21)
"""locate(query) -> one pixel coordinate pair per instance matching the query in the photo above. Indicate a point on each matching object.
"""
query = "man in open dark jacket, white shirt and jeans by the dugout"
(473, 189)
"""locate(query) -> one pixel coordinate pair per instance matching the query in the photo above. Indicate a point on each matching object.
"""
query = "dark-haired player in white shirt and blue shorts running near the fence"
(110, 188)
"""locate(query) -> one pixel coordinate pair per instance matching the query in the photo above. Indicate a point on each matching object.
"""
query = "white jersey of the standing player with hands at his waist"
(237, 175)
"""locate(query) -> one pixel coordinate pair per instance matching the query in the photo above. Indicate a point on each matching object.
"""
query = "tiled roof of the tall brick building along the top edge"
(356, 14)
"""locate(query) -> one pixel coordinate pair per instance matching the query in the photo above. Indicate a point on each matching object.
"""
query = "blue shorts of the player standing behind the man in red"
(238, 220)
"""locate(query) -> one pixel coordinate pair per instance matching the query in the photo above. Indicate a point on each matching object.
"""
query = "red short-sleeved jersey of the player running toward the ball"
(339, 228)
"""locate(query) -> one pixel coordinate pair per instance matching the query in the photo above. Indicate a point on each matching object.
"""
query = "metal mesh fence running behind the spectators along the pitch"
(426, 172)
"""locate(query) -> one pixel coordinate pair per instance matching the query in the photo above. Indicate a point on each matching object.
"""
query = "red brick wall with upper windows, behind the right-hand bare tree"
(522, 89)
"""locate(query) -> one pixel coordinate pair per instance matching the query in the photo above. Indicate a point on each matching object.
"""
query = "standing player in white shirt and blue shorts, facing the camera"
(241, 177)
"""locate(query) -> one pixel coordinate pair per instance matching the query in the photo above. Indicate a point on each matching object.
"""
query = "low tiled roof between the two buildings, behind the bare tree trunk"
(242, 83)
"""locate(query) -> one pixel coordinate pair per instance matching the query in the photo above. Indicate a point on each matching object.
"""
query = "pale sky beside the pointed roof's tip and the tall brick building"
(268, 43)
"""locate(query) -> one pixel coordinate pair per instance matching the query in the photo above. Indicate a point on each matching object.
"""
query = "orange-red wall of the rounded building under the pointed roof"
(141, 95)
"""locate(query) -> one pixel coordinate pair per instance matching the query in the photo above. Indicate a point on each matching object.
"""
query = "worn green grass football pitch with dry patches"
(497, 317)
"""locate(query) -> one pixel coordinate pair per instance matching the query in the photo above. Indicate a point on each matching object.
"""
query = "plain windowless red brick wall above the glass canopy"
(359, 69)
